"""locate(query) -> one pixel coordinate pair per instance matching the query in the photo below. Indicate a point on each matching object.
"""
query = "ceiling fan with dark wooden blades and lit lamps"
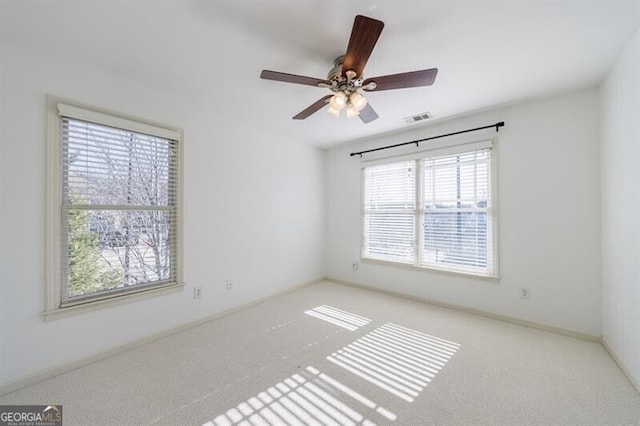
(346, 78)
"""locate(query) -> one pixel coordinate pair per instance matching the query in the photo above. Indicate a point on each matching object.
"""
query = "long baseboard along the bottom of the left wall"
(57, 370)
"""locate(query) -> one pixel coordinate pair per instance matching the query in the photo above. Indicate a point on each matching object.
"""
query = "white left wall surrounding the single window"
(253, 213)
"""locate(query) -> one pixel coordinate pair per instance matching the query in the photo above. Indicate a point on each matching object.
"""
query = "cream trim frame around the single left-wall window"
(54, 227)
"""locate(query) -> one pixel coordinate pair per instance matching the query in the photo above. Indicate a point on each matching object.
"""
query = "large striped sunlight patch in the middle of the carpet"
(397, 359)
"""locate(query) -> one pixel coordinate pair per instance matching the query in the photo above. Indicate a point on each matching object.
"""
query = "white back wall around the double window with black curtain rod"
(549, 217)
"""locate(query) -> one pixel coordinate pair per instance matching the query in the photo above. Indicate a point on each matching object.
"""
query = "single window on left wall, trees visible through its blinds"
(114, 208)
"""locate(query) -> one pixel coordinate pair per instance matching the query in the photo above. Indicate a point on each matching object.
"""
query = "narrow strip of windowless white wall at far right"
(620, 206)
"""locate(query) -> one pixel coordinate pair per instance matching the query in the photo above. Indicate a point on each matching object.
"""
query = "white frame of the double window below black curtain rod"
(441, 148)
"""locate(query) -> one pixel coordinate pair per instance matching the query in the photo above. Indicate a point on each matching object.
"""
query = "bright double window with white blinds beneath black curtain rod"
(434, 211)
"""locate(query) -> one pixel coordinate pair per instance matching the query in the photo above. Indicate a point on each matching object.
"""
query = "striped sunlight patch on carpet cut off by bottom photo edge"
(308, 398)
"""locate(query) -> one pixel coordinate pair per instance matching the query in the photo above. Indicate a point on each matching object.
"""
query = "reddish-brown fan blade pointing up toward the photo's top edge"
(364, 36)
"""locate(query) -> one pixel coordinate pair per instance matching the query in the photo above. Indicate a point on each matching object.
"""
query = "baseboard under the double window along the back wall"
(512, 320)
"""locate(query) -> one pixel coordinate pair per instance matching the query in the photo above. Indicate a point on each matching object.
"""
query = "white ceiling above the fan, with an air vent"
(488, 52)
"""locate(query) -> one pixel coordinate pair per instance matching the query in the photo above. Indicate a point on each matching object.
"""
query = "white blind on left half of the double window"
(389, 211)
